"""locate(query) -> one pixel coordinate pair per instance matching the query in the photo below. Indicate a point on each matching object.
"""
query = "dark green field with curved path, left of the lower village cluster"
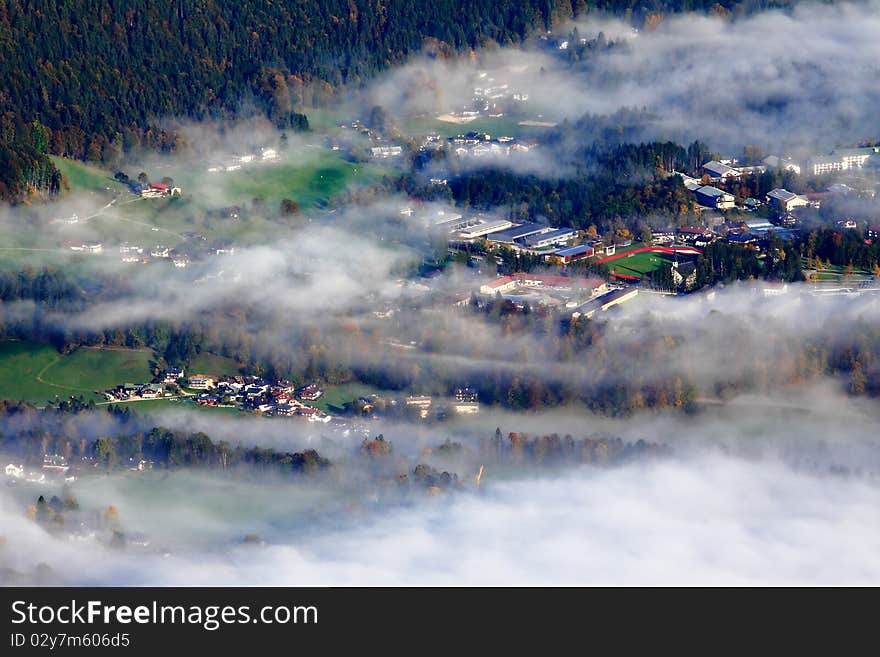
(35, 372)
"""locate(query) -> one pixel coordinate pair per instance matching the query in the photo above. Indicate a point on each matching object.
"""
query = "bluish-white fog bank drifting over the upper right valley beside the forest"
(796, 80)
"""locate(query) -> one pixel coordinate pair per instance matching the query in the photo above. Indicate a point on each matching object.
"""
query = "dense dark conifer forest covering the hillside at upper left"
(92, 79)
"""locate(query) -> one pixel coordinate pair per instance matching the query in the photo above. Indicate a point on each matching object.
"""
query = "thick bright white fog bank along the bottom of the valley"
(707, 520)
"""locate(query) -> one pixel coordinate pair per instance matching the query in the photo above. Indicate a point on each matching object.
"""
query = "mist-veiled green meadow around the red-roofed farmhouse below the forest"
(309, 174)
